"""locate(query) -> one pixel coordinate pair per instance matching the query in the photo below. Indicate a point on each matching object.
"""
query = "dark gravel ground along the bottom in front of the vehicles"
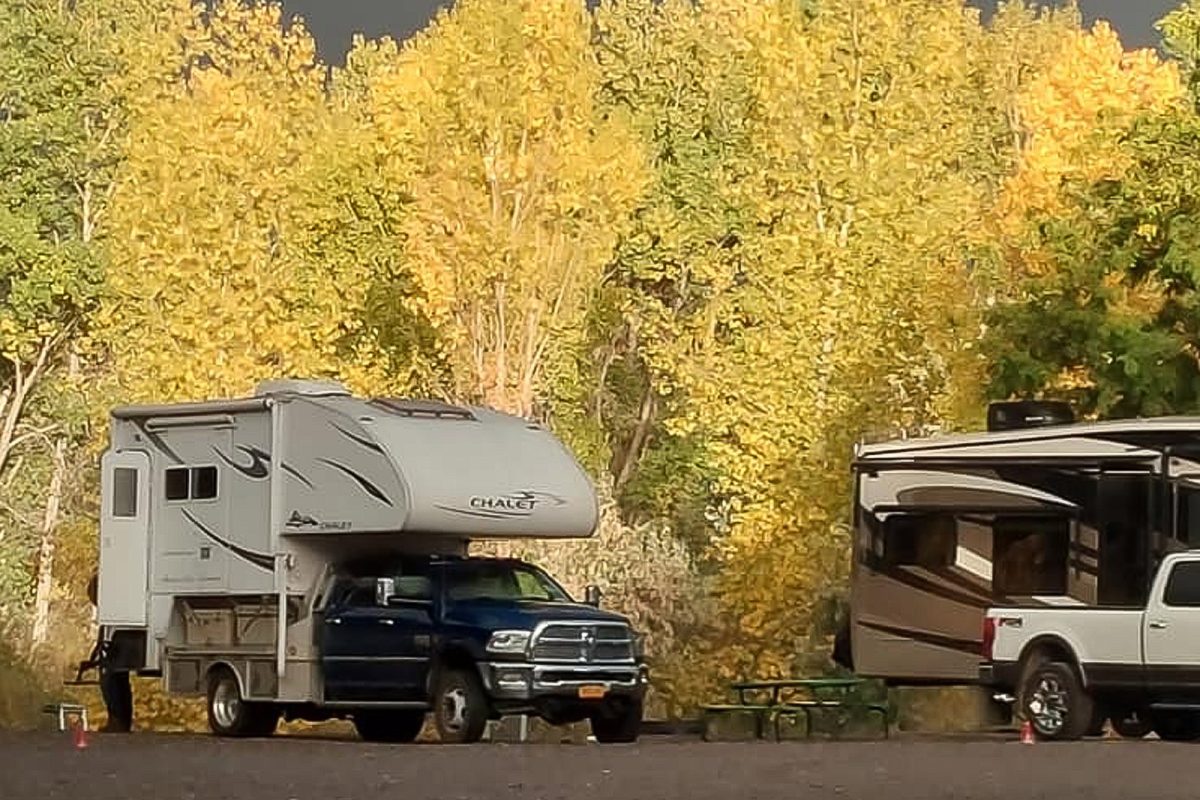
(146, 767)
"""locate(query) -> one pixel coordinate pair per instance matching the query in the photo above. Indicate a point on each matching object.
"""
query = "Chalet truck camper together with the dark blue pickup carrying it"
(303, 554)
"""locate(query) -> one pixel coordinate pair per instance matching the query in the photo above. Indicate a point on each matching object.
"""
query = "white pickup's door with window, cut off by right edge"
(1172, 636)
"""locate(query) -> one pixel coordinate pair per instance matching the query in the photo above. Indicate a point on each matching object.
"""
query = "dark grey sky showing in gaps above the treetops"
(335, 21)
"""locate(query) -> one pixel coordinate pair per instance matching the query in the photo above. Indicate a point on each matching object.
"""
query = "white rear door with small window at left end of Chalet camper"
(124, 538)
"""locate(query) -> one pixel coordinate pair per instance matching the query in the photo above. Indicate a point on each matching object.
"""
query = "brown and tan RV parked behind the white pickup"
(1037, 512)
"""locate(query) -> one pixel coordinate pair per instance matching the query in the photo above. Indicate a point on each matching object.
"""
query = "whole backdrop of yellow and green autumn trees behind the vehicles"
(711, 244)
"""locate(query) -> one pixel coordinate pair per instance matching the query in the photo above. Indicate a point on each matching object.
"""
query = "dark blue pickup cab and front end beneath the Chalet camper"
(472, 640)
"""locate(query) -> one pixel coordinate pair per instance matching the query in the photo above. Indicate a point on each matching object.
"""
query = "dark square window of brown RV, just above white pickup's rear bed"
(1030, 556)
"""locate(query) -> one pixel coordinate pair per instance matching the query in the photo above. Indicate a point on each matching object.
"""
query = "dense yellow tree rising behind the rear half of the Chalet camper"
(208, 292)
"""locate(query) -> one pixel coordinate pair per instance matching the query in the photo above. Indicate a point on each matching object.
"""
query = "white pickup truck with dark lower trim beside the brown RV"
(1071, 669)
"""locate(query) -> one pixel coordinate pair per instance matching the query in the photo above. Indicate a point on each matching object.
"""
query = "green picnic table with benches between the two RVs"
(820, 694)
